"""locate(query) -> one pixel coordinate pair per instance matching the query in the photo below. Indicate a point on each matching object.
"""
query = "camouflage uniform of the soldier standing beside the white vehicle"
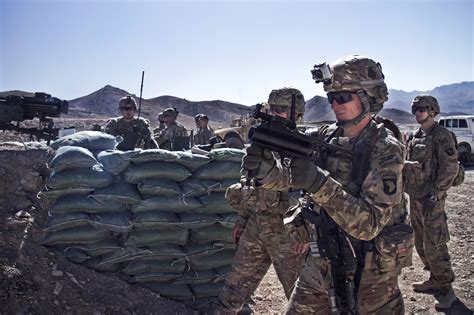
(430, 170)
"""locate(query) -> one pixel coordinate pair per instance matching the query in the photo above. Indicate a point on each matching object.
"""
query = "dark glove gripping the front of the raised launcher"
(257, 161)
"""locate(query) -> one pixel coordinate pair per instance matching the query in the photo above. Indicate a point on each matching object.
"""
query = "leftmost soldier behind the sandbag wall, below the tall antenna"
(136, 132)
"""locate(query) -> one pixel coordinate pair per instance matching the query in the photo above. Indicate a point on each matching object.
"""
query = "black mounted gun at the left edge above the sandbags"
(15, 108)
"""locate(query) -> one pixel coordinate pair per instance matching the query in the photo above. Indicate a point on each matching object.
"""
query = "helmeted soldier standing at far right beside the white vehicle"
(430, 170)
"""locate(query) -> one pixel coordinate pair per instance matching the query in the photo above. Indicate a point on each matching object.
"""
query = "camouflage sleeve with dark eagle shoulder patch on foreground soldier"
(364, 216)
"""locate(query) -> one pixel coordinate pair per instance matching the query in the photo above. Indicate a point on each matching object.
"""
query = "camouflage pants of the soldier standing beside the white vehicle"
(431, 236)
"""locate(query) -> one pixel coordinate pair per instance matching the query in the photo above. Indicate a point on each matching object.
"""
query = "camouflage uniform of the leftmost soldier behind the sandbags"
(136, 133)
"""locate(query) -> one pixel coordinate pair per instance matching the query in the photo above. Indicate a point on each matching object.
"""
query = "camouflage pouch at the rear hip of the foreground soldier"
(394, 248)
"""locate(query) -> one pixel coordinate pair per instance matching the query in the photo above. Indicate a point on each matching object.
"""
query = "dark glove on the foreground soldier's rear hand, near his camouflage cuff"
(305, 174)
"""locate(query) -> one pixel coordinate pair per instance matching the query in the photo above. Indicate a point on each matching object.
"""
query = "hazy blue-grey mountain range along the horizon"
(453, 98)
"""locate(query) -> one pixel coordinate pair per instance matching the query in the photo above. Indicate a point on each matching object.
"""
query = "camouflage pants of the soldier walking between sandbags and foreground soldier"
(263, 242)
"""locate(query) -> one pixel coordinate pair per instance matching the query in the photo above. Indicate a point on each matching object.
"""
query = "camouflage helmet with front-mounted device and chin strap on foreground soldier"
(357, 74)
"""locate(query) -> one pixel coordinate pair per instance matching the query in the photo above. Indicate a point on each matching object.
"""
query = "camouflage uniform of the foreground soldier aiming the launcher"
(379, 205)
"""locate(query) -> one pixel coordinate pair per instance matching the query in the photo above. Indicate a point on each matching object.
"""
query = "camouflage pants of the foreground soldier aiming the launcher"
(378, 293)
